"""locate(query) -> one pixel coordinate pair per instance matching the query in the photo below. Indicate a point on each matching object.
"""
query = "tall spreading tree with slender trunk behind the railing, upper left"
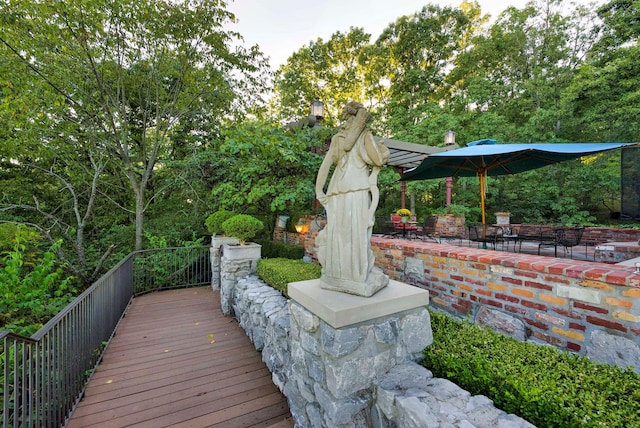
(129, 74)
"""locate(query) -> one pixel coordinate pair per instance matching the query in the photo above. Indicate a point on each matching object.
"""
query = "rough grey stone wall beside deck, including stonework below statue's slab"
(358, 376)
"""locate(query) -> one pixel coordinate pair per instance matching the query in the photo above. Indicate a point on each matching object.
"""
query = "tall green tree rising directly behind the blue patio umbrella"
(511, 80)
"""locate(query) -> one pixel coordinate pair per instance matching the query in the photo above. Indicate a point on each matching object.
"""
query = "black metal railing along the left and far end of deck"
(44, 376)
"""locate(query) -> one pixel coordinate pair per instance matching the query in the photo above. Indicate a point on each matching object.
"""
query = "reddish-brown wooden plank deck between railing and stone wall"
(176, 361)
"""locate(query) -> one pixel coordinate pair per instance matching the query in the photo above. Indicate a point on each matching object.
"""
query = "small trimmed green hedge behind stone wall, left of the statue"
(280, 272)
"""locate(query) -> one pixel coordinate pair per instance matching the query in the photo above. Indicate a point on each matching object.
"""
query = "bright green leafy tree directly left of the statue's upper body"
(269, 168)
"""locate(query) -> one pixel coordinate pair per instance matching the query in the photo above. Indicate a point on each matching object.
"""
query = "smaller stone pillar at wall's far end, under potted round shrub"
(237, 261)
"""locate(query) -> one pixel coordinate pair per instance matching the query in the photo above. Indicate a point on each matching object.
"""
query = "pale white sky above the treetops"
(281, 27)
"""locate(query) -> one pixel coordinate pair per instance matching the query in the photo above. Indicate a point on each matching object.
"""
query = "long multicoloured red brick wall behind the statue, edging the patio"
(560, 301)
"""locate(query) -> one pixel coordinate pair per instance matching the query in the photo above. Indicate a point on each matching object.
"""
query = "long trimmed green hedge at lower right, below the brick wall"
(541, 384)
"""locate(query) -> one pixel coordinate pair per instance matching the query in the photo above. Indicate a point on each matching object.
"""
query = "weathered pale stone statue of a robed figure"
(351, 199)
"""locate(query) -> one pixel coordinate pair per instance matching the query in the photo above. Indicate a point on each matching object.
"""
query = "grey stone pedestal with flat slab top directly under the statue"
(342, 344)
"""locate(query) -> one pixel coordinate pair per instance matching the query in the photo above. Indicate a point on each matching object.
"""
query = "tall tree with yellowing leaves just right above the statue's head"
(414, 55)
